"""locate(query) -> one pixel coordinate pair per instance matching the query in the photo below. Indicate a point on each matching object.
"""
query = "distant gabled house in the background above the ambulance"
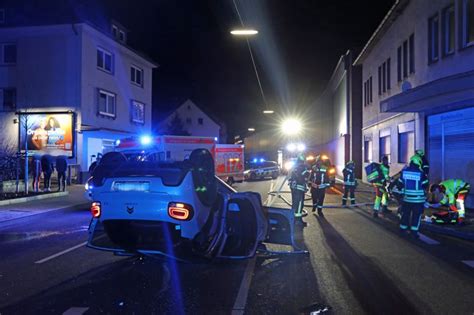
(194, 122)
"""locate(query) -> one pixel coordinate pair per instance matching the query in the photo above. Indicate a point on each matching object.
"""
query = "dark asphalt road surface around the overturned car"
(356, 265)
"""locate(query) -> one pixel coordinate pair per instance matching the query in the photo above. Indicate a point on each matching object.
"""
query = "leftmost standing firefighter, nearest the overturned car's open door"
(297, 181)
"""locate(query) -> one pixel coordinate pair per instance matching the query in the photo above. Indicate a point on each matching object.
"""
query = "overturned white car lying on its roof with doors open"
(179, 209)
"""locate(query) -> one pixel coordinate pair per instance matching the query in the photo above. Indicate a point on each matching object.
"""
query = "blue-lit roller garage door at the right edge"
(451, 147)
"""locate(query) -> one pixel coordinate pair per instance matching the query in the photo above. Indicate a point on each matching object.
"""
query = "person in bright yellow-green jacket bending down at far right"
(453, 193)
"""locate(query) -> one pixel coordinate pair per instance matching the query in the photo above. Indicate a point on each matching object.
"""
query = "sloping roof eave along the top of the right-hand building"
(387, 21)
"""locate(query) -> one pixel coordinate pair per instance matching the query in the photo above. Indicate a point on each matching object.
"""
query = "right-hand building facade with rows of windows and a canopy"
(418, 87)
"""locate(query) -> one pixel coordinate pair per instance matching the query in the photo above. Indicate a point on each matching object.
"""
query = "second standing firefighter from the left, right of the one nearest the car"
(319, 181)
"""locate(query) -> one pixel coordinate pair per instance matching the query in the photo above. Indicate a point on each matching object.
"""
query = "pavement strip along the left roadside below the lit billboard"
(73, 198)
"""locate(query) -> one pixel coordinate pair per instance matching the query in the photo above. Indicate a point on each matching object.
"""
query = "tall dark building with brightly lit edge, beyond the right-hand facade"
(338, 116)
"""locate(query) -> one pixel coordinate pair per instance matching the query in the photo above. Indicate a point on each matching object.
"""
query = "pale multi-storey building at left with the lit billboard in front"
(75, 69)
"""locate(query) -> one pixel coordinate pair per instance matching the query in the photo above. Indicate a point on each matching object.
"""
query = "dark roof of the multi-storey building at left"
(59, 12)
